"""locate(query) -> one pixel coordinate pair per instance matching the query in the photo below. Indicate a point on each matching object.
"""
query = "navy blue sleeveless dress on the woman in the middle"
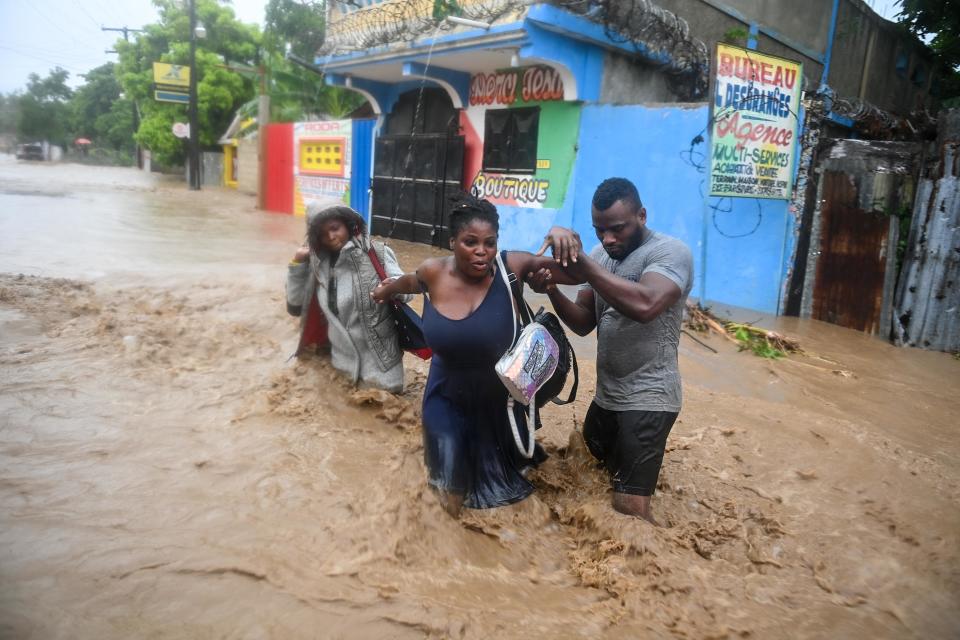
(468, 444)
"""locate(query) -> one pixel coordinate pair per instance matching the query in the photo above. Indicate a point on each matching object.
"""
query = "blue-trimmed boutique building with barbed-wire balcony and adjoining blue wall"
(532, 106)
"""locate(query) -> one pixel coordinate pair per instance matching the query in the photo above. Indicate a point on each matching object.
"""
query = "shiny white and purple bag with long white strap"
(525, 367)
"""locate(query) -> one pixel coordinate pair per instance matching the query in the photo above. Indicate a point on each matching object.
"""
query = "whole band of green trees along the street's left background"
(230, 61)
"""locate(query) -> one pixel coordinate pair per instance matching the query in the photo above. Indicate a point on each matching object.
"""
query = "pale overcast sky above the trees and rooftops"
(37, 35)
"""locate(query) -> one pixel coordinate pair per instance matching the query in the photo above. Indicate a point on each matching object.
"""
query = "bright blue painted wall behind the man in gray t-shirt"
(740, 246)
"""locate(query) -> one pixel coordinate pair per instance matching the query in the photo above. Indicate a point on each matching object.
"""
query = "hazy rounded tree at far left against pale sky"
(43, 111)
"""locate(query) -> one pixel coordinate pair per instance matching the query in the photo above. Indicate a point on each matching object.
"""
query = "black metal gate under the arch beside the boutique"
(413, 179)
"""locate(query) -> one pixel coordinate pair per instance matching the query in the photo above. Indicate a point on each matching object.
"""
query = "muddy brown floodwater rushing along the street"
(167, 471)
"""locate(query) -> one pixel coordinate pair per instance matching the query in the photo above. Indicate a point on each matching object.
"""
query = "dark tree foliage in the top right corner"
(938, 20)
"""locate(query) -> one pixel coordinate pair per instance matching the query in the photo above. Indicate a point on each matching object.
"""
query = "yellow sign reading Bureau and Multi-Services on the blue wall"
(754, 134)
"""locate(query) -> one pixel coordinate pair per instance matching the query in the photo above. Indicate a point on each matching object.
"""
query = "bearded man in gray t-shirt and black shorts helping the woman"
(637, 282)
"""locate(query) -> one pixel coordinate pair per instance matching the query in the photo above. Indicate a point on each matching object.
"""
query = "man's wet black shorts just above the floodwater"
(630, 444)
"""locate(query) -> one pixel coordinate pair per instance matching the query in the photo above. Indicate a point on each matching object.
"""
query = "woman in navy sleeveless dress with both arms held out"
(468, 322)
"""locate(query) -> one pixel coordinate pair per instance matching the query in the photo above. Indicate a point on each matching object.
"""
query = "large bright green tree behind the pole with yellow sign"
(220, 91)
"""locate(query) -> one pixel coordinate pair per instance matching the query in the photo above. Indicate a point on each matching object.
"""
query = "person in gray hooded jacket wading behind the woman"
(334, 267)
